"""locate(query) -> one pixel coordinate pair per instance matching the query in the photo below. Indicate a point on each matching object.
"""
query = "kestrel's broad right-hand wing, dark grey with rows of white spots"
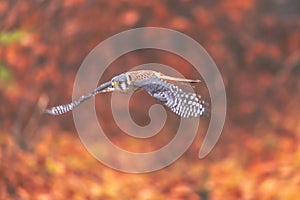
(184, 104)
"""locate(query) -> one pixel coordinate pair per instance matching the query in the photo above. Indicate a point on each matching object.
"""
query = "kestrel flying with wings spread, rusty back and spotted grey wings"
(158, 85)
